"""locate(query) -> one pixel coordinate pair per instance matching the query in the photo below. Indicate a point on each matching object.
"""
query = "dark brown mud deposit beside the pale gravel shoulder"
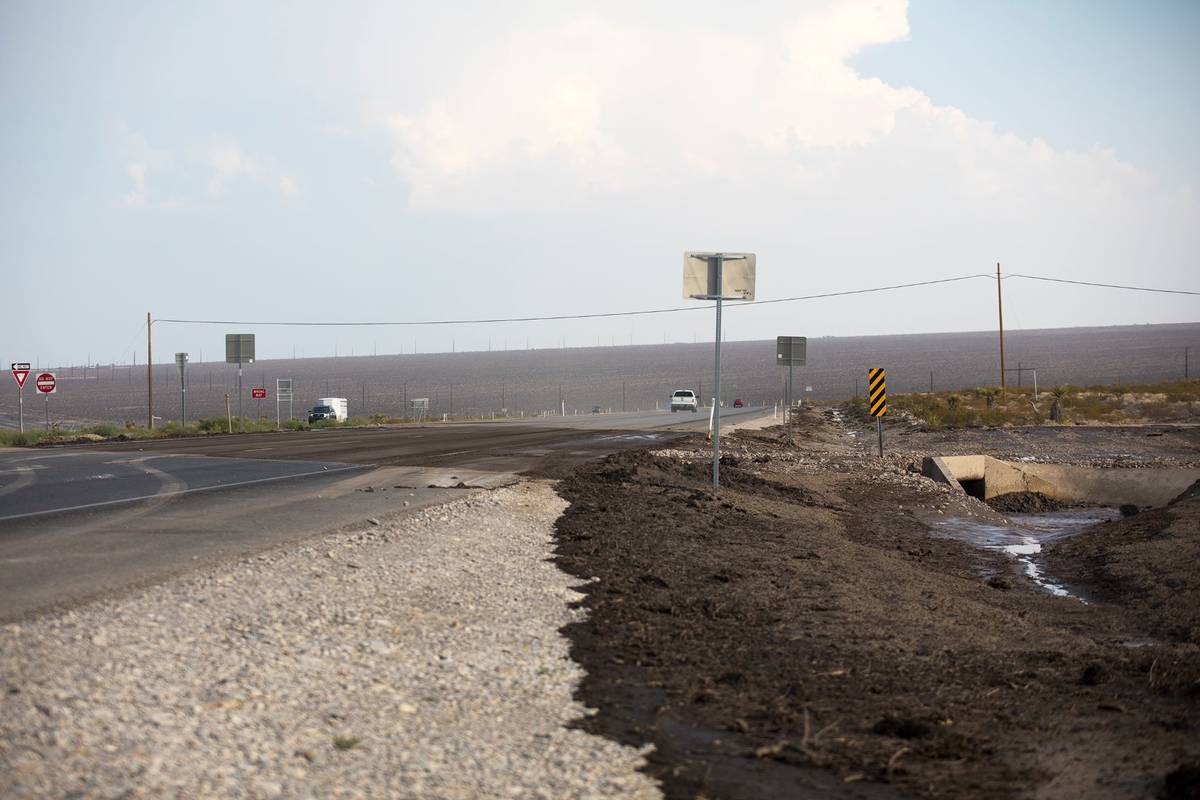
(805, 635)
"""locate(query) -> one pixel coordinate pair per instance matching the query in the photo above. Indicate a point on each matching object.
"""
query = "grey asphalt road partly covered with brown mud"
(77, 524)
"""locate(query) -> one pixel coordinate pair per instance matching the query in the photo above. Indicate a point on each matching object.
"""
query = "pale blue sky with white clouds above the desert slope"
(416, 163)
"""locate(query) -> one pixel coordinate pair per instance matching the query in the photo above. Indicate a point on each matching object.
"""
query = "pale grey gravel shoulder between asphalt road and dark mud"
(419, 658)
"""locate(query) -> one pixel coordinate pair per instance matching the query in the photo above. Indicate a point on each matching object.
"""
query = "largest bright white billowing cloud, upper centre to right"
(586, 111)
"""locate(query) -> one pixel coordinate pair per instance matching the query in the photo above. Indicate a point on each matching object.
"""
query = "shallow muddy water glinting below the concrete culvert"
(1024, 537)
